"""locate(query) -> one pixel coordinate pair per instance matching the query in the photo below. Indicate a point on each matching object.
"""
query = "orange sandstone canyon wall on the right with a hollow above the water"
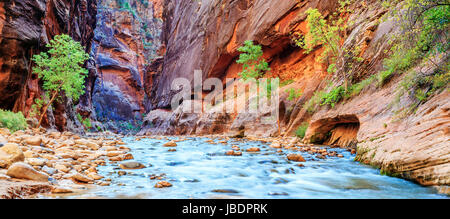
(205, 36)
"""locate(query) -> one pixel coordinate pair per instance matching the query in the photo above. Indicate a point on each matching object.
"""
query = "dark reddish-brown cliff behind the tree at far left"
(25, 28)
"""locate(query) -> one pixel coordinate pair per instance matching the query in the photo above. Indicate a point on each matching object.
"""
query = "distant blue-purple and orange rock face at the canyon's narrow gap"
(126, 40)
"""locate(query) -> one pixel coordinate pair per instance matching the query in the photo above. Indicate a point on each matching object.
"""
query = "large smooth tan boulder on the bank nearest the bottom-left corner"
(24, 171)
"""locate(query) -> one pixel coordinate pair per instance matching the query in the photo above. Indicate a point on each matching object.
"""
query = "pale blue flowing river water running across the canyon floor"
(201, 170)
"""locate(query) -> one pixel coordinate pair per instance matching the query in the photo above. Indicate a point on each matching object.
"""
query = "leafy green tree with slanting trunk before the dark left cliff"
(61, 70)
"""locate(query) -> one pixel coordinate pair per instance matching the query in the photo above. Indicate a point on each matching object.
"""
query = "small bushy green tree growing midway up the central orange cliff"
(254, 66)
